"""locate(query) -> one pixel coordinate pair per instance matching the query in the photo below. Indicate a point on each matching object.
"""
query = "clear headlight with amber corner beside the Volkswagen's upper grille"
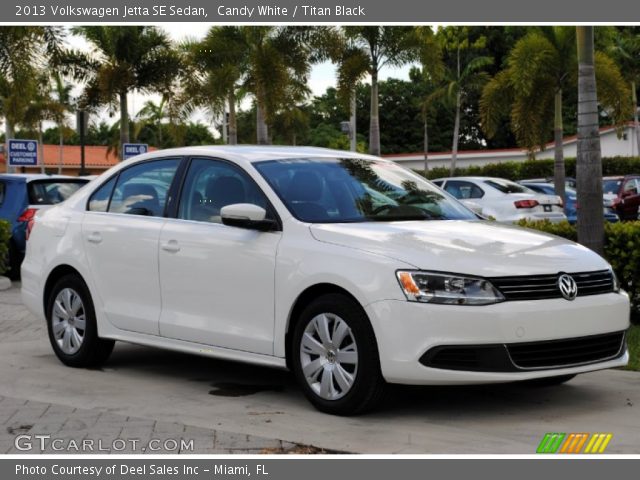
(448, 289)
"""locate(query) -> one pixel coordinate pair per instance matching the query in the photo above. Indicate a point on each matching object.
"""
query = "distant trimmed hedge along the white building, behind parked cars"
(538, 168)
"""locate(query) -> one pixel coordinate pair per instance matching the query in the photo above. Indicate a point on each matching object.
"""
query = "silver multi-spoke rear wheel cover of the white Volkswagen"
(68, 321)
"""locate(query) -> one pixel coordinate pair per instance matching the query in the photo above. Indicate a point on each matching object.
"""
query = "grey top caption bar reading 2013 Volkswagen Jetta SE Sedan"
(345, 11)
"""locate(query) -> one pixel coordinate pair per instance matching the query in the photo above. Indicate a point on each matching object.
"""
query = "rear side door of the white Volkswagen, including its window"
(120, 233)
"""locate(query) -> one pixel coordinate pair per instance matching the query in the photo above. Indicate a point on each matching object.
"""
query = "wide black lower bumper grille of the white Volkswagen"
(513, 357)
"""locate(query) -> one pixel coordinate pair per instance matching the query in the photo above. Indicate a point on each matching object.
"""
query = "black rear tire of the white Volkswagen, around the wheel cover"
(93, 351)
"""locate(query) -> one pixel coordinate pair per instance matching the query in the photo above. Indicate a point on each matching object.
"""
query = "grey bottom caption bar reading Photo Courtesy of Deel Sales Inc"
(316, 468)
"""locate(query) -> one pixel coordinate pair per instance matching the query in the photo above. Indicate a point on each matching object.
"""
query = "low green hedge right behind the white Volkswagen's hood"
(621, 250)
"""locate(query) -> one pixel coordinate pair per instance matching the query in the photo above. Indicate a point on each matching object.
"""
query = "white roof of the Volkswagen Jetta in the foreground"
(254, 153)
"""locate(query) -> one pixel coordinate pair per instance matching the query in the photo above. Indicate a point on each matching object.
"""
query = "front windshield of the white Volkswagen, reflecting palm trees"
(333, 190)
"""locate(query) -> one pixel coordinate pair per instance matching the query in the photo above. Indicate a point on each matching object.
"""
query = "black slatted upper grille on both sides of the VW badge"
(538, 287)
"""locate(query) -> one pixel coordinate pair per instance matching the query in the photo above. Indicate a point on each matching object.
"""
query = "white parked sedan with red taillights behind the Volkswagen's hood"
(504, 200)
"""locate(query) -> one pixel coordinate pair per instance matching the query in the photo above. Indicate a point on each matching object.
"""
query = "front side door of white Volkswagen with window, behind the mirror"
(217, 281)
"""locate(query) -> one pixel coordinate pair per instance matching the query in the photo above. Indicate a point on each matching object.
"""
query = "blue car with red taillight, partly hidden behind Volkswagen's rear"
(21, 196)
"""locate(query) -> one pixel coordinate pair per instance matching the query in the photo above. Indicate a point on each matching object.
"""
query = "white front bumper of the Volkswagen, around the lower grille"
(406, 331)
